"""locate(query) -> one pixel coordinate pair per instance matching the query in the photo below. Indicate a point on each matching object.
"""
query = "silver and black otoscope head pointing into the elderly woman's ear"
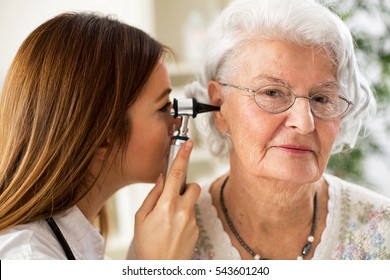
(190, 107)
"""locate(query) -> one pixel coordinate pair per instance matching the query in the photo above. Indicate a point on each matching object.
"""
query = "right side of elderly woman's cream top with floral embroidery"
(361, 220)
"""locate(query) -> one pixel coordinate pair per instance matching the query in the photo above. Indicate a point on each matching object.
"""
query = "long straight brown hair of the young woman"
(67, 91)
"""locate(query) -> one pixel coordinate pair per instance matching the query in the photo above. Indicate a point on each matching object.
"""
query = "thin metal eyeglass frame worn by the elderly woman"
(254, 91)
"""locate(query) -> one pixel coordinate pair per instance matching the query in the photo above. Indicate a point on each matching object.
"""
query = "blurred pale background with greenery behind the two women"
(181, 24)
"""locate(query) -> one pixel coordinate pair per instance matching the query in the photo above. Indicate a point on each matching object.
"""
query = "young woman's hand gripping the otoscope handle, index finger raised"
(165, 224)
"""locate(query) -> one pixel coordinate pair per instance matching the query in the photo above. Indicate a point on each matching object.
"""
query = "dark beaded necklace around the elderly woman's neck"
(306, 248)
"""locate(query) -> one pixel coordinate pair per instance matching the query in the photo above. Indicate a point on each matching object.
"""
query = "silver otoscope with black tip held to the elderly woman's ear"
(184, 108)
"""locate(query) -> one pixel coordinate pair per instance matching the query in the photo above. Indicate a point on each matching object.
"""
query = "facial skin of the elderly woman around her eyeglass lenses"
(293, 145)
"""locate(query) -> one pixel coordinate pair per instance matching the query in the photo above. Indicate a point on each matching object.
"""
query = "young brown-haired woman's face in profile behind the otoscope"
(151, 129)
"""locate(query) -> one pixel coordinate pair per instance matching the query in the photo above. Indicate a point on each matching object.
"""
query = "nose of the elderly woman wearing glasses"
(300, 116)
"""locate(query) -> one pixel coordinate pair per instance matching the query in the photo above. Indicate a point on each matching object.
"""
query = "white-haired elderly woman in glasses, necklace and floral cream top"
(285, 76)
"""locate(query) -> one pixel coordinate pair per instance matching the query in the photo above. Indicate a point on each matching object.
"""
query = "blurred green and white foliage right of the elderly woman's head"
(369, 21)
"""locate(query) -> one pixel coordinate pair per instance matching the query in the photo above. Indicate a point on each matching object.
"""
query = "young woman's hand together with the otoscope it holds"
(164, 210)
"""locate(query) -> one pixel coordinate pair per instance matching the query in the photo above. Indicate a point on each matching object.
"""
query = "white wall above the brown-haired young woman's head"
(19, 17)
